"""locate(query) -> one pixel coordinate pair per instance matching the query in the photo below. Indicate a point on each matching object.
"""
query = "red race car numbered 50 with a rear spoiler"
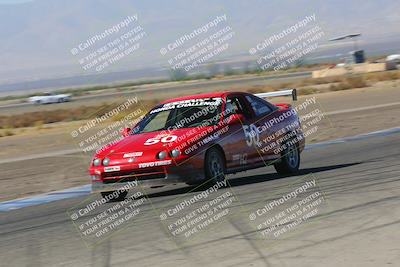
(194, 139)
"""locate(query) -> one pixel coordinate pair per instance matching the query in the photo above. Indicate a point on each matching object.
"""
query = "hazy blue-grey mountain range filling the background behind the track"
(37, 36)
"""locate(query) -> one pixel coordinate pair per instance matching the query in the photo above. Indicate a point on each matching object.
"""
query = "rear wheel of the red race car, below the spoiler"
(290, 161)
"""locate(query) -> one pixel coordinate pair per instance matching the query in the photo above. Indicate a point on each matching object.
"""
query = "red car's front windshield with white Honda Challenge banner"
(181, 114)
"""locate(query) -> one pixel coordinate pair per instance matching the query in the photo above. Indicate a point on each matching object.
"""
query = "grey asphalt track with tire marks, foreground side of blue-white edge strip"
(357, 225)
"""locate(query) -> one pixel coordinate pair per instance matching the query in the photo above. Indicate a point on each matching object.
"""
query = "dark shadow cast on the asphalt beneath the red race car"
(240, 181)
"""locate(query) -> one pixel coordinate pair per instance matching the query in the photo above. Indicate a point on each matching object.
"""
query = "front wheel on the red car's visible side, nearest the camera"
(214, 165)
